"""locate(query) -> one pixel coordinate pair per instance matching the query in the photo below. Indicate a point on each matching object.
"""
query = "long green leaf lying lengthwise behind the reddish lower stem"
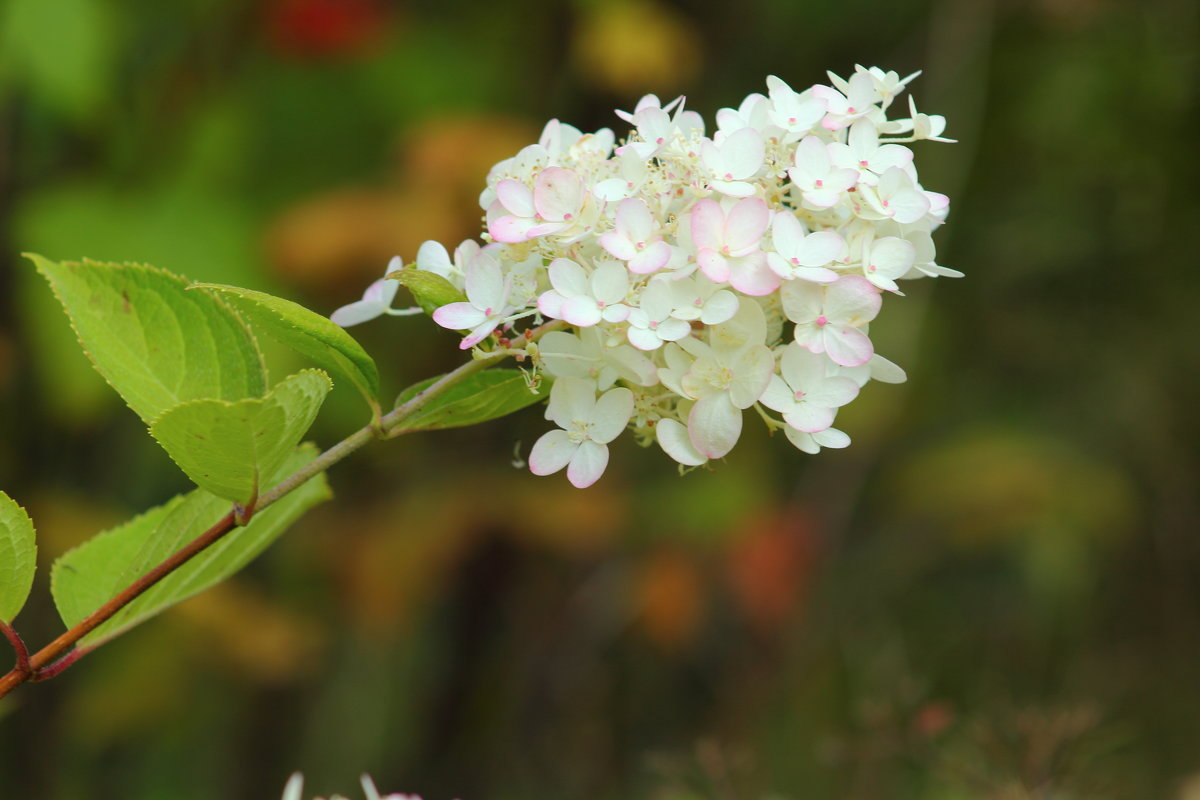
(93, 574)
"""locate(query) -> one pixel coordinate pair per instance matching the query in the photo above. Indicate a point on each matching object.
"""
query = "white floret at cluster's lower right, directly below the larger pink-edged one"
(805, 392)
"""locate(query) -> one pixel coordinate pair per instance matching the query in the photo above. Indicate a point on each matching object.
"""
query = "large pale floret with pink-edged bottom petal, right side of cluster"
(829, 317)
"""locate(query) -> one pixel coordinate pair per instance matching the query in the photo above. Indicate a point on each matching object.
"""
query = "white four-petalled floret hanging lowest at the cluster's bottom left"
(589, 426)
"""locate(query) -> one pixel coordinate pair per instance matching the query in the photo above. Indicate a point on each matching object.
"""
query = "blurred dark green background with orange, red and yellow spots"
(994, 594)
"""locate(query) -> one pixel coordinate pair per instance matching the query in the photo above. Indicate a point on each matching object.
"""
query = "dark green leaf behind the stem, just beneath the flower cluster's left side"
(484, 396)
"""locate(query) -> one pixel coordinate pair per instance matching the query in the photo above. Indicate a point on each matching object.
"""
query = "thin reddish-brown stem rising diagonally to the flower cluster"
(45, 664)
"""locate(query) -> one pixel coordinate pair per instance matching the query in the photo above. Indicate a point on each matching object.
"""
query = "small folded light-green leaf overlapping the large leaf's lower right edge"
(230, 449)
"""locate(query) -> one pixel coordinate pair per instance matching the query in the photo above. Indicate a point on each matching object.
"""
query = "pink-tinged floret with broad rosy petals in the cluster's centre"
(728, 244)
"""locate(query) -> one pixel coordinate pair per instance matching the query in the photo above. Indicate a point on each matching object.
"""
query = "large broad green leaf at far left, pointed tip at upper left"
(157, 344)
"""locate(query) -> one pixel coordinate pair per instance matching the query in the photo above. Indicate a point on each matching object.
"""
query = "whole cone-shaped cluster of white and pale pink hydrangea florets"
(700, 276)
